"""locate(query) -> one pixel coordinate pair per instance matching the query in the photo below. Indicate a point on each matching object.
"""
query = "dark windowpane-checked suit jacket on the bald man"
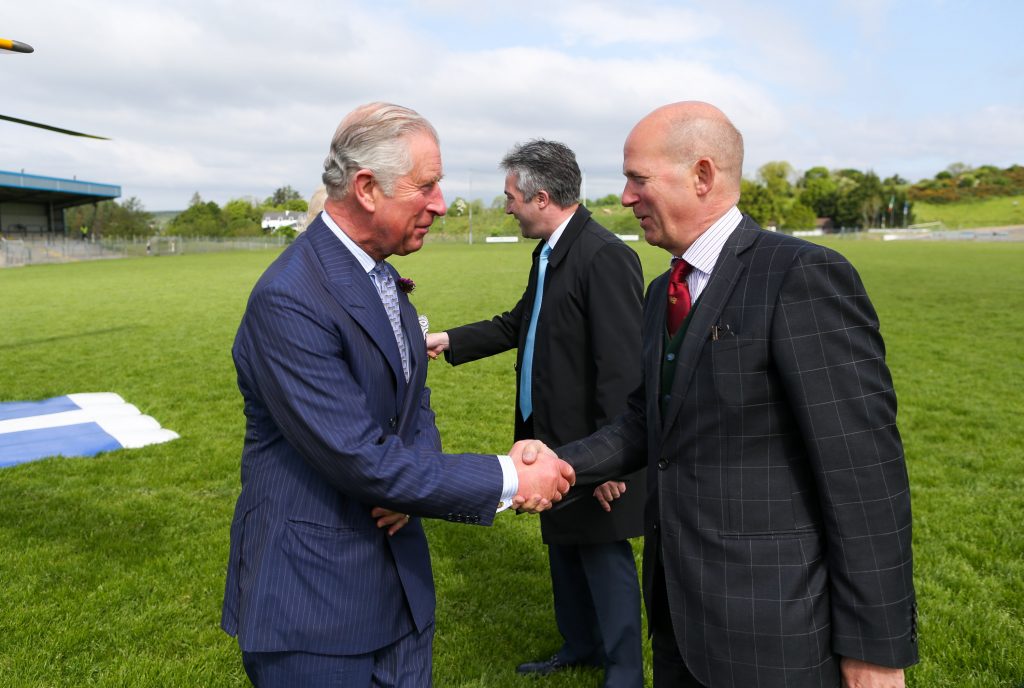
(780, 506)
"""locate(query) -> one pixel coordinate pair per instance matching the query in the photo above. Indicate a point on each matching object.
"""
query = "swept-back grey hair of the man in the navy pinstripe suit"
(373, 137)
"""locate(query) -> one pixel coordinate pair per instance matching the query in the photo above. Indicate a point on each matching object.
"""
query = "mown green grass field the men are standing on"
(112, 569)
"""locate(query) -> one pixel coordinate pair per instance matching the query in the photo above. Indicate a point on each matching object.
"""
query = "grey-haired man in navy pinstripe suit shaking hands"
(329, 580)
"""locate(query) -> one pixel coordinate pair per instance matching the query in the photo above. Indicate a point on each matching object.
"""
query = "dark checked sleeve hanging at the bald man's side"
(831, 359)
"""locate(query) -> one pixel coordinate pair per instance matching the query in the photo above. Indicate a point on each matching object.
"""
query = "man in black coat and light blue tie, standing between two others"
(577, 331)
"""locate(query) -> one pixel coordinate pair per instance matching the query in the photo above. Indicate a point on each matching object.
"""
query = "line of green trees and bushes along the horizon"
(779, 197)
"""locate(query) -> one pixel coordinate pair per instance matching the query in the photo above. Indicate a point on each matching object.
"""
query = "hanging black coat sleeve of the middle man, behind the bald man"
(616, 313)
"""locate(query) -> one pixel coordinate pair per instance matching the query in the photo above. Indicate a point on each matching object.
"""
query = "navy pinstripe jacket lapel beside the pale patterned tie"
(355, 291)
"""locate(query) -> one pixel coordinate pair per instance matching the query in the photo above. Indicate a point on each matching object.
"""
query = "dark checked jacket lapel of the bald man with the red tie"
(708, 313)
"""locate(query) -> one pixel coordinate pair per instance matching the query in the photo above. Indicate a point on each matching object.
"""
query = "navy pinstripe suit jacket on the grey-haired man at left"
(332, 431)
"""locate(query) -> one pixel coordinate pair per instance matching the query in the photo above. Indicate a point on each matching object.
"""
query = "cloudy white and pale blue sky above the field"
(237, 99)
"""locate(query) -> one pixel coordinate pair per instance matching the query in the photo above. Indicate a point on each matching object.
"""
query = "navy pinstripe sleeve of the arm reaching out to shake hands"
(301, 368)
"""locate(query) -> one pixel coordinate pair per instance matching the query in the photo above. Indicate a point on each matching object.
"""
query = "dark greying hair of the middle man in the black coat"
(545, 165)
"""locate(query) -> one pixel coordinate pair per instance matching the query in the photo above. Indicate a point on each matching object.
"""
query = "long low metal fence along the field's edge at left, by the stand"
(15, 252)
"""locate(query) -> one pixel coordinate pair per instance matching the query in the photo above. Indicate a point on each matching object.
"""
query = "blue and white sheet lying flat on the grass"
(76, 425)
